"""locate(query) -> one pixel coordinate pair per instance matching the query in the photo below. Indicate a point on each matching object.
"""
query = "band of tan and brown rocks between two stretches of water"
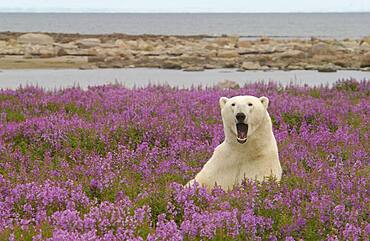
(189, 53)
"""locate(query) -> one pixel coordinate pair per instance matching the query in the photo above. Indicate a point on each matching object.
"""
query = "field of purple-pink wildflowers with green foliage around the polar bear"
(109, 163)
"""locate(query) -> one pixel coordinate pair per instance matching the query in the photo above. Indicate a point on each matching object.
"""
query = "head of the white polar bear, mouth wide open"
(242, 116)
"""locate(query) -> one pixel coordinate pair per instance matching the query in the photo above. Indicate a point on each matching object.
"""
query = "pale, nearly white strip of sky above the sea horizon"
(185, 5)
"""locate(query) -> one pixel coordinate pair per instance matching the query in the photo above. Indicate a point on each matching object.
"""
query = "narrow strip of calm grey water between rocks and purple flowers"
(141, 77)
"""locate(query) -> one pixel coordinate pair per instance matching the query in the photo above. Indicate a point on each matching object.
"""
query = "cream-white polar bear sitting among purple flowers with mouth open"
(249, 150)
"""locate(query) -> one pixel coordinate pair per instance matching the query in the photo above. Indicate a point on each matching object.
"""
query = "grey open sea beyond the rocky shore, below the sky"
(279, 25)
